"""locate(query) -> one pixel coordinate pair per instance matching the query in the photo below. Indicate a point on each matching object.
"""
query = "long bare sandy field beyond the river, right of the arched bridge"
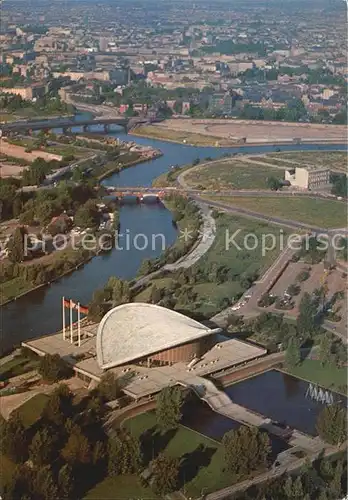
(257, 131)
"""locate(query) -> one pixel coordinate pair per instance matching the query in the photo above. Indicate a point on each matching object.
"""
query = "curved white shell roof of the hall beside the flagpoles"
(135, 330)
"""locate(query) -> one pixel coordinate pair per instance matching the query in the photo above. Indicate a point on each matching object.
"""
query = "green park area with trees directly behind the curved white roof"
(223, 273)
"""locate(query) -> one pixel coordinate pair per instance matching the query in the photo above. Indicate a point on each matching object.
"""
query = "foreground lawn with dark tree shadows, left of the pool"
(201, 463)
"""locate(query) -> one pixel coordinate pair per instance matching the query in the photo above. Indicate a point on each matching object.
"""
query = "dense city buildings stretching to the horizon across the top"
(274, 63)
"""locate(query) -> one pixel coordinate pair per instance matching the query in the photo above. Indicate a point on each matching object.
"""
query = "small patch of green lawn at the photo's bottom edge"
(120, 488)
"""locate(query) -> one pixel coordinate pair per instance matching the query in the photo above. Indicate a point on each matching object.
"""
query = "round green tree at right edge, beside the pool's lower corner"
(331, 424)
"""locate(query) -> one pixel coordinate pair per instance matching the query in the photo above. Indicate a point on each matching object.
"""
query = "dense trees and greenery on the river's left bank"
(41, 212)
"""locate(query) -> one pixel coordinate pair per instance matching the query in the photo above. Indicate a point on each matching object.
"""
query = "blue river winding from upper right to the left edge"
(39, 313)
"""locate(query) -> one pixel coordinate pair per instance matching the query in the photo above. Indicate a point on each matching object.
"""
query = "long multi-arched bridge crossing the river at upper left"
(29, 126)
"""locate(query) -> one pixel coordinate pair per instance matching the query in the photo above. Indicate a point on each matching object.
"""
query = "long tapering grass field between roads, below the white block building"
(321, 213)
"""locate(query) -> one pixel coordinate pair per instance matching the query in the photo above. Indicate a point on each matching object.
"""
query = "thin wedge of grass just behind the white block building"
(334, 160)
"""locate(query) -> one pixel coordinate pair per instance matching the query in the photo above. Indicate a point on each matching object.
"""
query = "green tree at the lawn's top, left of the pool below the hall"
(168, 410)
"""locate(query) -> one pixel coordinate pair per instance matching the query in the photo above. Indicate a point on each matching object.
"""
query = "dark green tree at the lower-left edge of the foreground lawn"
(165, 472)
